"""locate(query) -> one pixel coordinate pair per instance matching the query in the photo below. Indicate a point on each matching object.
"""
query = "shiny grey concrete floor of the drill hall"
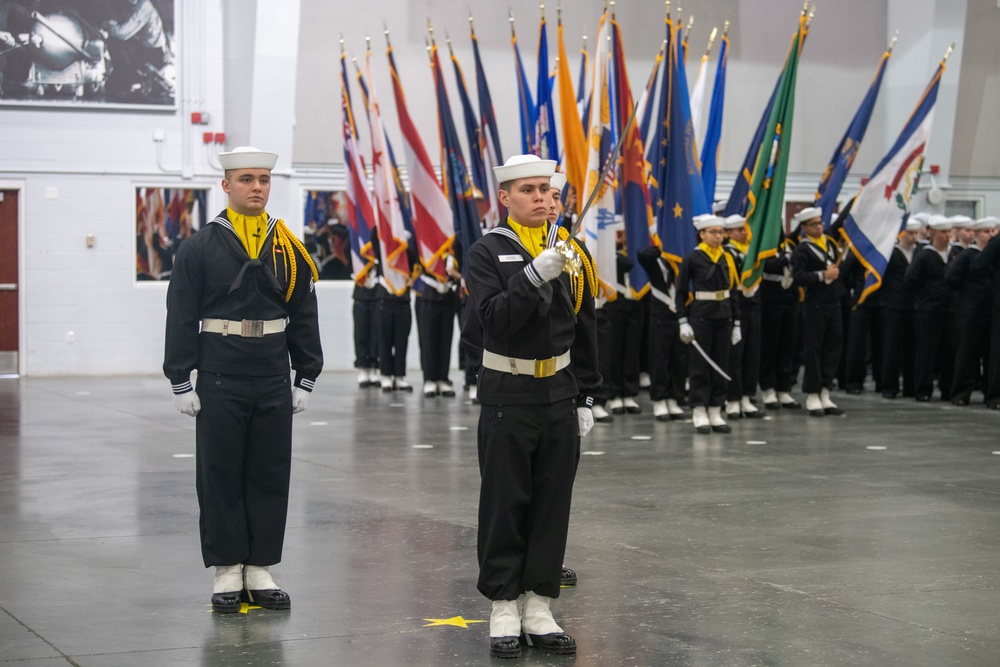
(865, 540)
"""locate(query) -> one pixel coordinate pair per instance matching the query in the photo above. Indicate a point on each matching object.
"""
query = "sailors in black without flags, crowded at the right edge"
(935, 319)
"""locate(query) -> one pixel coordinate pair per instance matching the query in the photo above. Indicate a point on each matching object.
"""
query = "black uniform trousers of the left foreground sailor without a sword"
(244, 449)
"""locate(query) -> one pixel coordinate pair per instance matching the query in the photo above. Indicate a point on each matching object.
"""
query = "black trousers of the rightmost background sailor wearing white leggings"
(822, 335)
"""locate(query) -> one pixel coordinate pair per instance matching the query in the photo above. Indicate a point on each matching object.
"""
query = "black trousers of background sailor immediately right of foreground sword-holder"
(625, 342)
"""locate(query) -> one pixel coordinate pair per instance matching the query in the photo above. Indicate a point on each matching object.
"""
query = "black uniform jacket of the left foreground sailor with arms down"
(214, 277)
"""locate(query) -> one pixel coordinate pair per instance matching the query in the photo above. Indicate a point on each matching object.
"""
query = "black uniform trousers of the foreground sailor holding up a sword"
(528, 456)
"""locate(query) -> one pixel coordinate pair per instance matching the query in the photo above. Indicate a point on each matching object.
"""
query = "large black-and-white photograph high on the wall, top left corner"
(88, 53)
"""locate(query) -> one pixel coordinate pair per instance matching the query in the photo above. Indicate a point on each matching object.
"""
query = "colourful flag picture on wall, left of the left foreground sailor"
(164, 217)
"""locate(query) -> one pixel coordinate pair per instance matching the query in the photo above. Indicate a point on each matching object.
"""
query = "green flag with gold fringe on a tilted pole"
(767, 188)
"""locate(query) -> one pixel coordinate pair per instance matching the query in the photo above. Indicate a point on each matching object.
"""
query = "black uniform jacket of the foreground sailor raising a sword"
(523, 321)
